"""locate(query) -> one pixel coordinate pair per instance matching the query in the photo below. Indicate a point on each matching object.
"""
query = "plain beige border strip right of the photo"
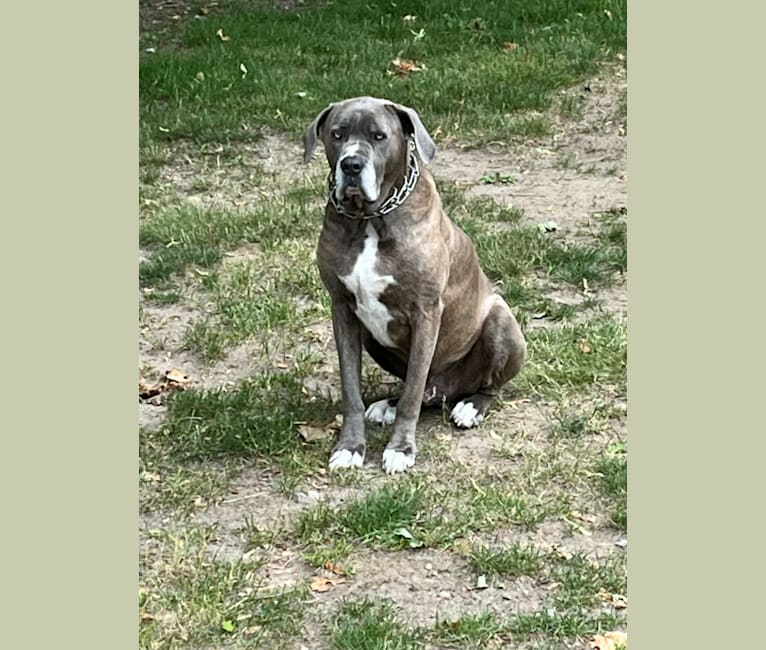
(696, 233)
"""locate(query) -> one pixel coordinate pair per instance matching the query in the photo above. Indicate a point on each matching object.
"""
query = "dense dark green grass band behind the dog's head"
(297, 62)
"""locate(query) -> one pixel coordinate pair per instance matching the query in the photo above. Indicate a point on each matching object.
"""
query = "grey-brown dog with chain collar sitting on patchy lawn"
(405, 282)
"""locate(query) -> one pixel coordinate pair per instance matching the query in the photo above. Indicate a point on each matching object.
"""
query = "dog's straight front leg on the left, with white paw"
(349, 452)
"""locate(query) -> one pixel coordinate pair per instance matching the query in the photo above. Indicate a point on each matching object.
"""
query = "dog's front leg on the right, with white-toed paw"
(400, 452)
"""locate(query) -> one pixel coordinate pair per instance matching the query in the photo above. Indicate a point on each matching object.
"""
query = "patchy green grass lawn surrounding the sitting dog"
(242, 255)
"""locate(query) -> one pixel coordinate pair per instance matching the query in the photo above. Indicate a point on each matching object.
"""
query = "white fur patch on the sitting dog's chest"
(367, 285)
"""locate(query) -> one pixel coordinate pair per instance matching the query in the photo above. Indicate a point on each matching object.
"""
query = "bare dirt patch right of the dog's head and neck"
(578, 170)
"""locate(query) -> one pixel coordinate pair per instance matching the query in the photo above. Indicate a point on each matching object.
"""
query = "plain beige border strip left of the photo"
(69, 313)
